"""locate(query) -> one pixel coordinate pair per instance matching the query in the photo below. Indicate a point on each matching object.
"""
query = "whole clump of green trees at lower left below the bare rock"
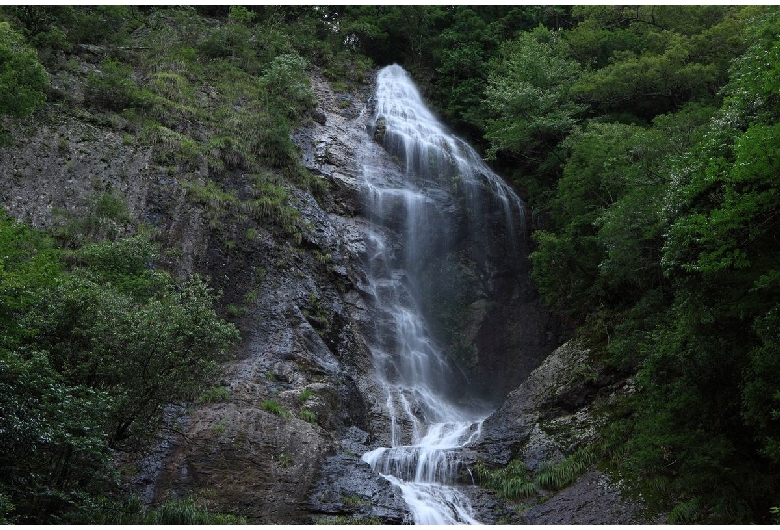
(89, 356)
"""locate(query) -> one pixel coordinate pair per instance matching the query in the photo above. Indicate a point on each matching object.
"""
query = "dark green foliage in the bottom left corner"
(55, 450)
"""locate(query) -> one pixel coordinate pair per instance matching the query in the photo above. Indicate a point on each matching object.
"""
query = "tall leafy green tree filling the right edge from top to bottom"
(702, 421)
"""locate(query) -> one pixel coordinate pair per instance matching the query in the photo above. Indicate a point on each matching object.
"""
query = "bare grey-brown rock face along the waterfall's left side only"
(301, 374)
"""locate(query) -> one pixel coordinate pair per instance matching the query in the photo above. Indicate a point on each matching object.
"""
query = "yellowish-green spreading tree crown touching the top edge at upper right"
(649, 60)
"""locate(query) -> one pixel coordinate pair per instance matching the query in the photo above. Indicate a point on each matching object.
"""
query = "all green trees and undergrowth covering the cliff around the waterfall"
(644, 137)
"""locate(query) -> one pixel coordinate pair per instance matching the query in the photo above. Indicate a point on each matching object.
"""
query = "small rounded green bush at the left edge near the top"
(23, 80)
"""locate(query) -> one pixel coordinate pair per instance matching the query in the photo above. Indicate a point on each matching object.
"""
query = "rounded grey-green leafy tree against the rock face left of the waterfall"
(132, 332)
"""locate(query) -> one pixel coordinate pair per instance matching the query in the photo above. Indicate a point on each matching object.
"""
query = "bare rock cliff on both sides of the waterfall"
(285, 445)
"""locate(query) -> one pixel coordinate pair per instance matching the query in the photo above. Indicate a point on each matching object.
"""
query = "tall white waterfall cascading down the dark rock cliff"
(436, 190)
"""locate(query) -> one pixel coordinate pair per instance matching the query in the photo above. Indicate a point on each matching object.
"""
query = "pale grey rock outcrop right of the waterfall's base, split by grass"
(548, 417)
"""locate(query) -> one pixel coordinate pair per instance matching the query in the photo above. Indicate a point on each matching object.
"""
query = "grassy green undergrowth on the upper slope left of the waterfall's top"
(213, 99)
